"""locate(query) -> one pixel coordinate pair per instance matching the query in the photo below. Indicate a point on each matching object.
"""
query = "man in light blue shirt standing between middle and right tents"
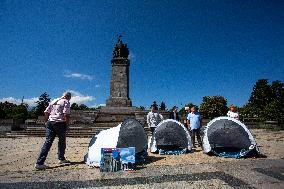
(194, 122)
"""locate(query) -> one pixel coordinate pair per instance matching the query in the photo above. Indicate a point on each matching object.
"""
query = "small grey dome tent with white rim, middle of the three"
(170, 137)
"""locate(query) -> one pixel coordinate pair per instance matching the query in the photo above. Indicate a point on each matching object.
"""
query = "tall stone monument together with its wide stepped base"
(118, 105)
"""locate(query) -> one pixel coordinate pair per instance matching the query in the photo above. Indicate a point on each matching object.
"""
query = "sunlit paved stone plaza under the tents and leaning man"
(193, 170)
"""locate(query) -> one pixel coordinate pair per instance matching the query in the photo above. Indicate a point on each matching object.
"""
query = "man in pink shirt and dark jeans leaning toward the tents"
(57, 115)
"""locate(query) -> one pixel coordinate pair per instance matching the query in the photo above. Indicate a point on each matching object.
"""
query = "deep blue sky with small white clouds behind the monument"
(180, 50)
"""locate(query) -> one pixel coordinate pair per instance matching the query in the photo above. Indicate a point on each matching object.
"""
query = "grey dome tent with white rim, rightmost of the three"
(228, 137)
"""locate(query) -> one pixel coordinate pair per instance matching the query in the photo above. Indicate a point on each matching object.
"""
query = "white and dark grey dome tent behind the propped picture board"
(130, 133)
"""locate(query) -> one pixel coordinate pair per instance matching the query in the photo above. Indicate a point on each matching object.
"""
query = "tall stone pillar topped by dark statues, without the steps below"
(119, 83)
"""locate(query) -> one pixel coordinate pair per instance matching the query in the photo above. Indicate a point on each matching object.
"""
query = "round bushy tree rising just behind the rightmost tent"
(214, 106)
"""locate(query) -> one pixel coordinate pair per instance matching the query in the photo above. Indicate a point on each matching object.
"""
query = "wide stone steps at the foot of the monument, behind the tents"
(85, 124)
